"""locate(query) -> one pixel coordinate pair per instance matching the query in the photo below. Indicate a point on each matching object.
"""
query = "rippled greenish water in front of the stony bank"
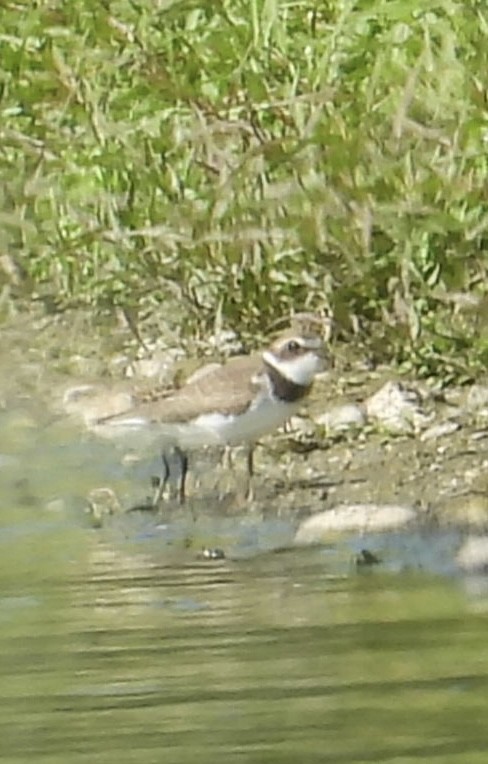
(121, 644)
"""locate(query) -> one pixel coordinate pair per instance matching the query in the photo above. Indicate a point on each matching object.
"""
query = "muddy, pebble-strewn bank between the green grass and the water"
(351, 446)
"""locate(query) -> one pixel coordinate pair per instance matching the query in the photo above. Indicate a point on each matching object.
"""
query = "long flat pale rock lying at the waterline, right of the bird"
(363, 518)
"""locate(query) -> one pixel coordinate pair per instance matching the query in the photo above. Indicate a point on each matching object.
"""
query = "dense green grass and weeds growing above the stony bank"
(245, 157)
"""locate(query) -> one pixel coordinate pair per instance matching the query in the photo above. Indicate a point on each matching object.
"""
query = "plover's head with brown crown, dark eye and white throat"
(298, 357)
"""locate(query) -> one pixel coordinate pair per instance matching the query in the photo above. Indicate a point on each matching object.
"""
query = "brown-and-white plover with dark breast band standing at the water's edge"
(229, 405)
